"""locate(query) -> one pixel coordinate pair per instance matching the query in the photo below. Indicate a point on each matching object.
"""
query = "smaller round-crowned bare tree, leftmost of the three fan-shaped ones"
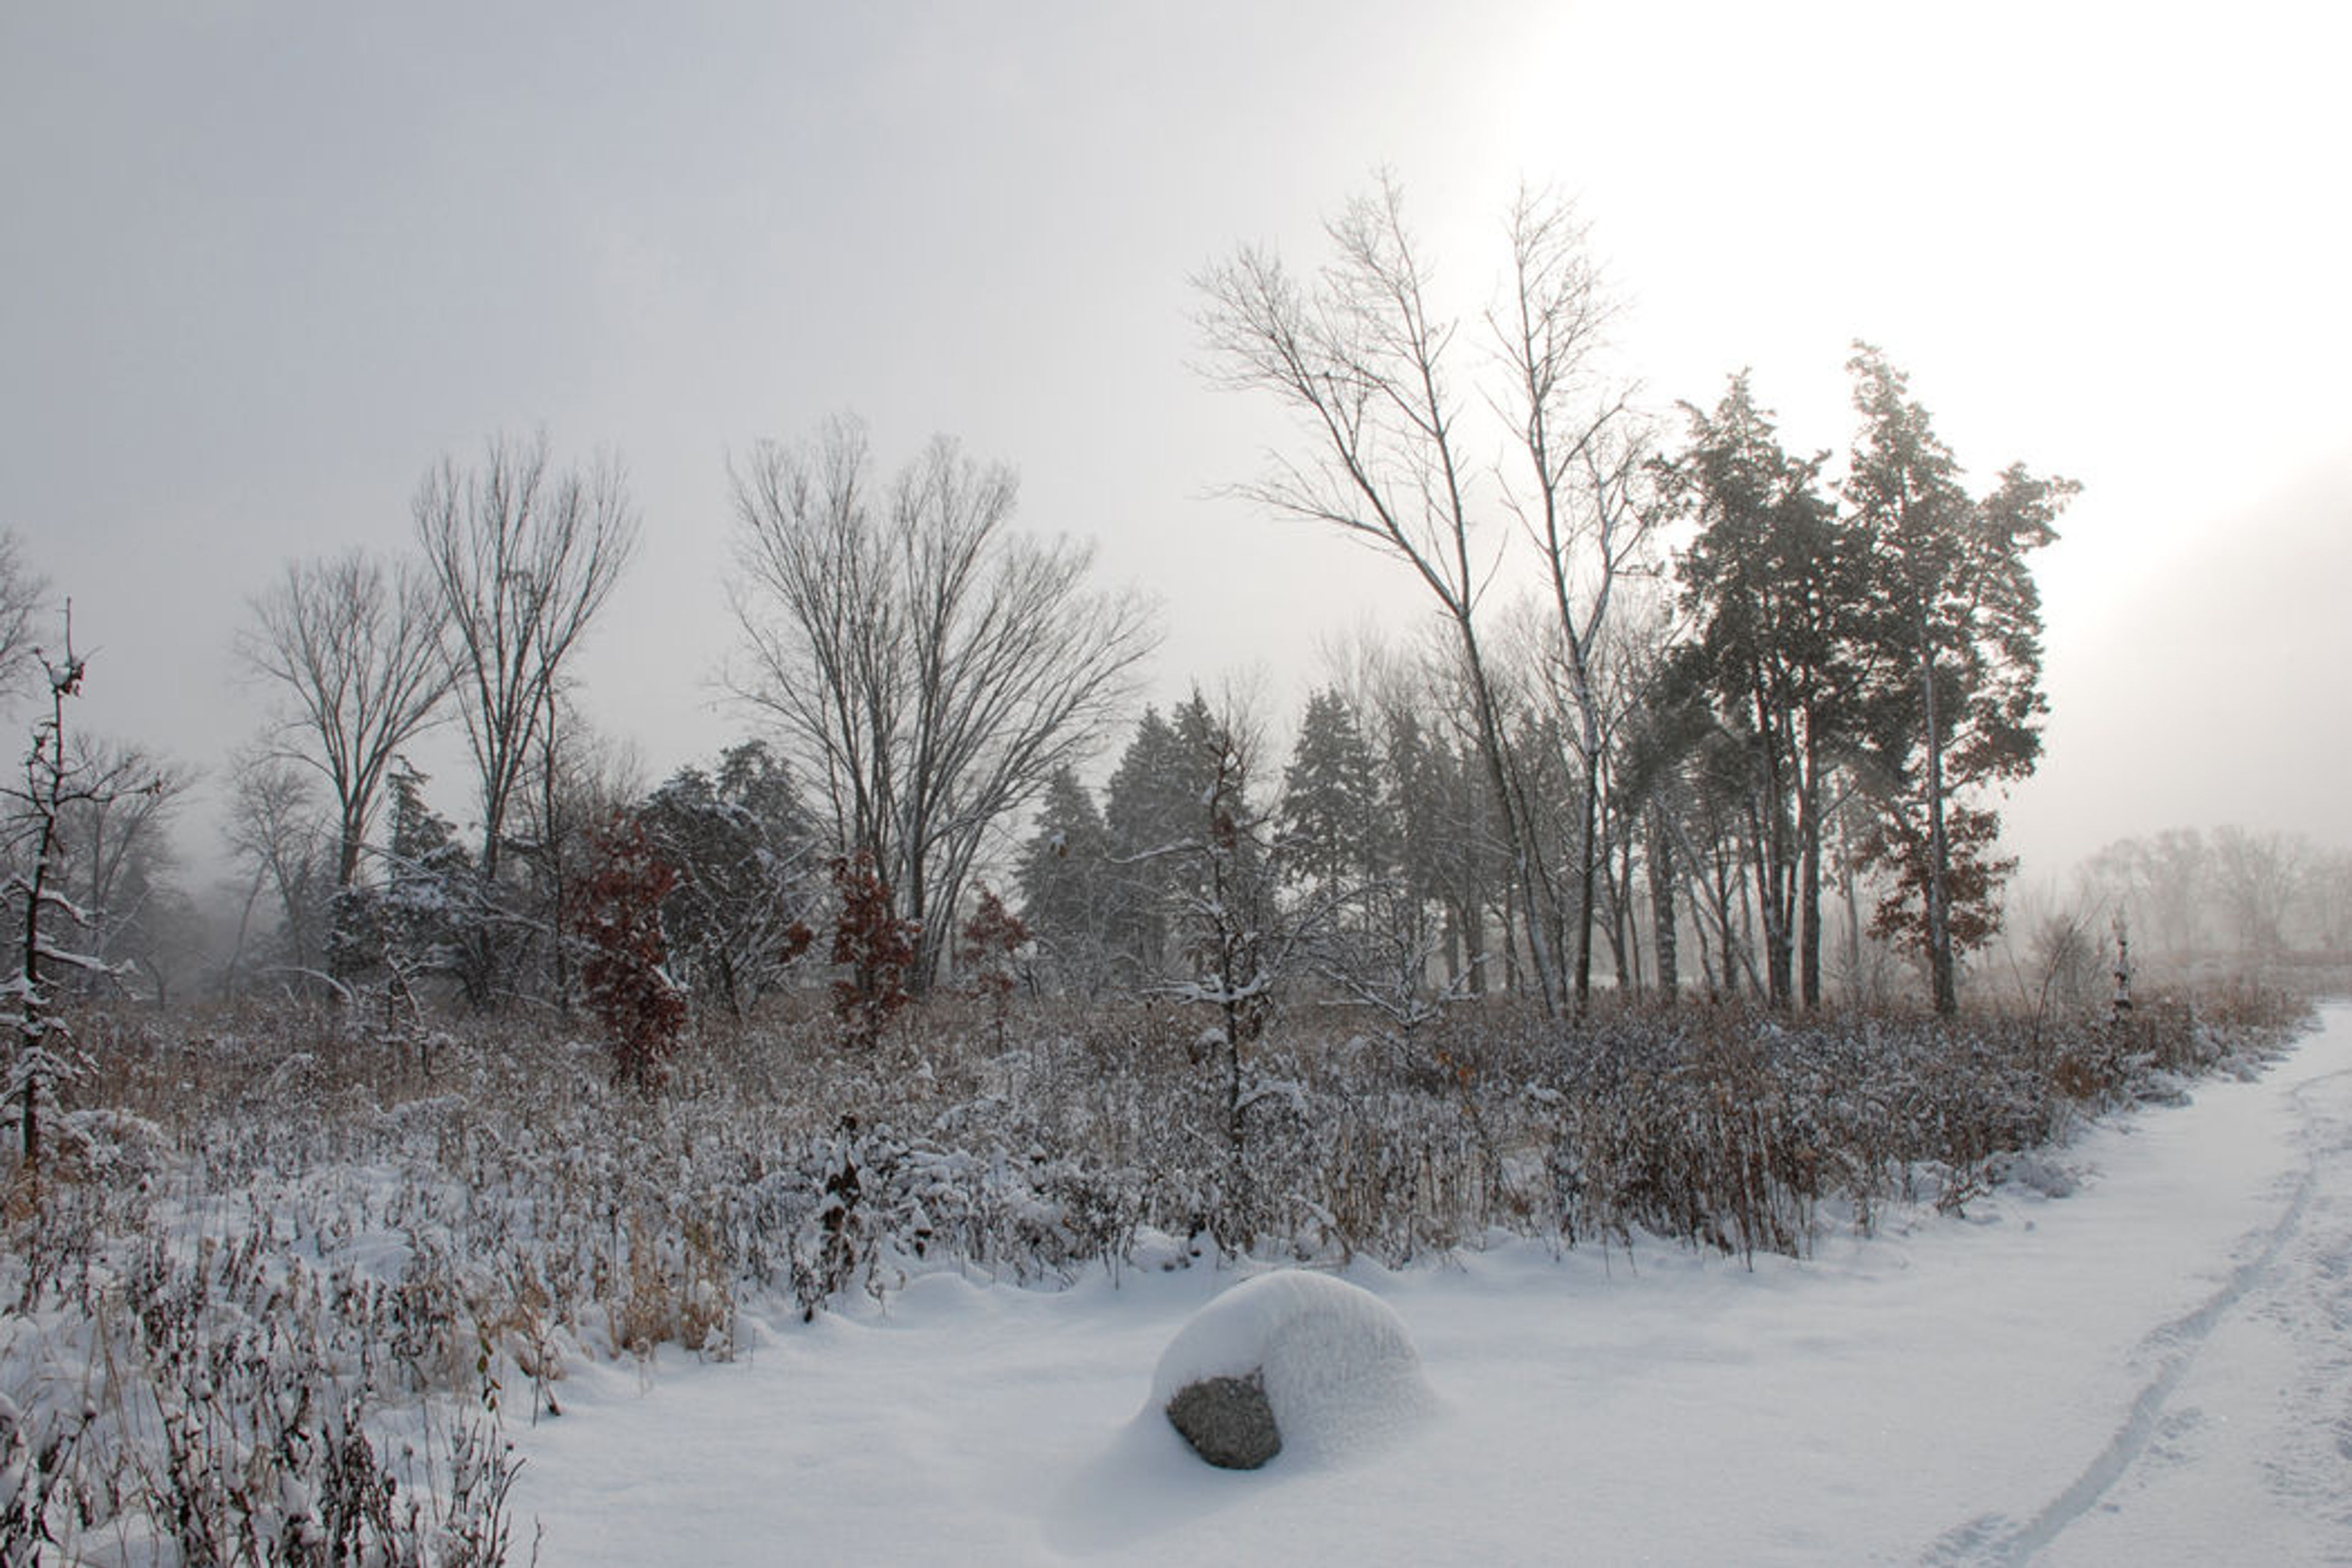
(361, 662)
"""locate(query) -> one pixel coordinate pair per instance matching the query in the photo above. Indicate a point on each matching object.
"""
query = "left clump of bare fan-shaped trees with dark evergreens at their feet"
(918, 669)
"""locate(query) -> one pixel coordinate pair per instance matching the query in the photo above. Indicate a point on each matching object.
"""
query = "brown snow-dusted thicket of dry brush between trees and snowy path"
(283, 1278)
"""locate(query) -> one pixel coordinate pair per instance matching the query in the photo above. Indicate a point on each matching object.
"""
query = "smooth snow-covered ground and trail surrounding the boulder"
(2153, 1369)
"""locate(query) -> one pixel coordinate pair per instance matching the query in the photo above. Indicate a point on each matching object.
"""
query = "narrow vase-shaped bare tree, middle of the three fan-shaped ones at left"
(523, 561)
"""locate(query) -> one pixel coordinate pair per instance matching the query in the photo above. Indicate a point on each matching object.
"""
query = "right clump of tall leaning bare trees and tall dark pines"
(1829, 659)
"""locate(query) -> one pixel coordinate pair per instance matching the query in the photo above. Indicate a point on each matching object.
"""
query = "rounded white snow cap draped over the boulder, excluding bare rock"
(1339, 1367)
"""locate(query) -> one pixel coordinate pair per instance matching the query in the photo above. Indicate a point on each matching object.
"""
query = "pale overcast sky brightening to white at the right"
(265, 264)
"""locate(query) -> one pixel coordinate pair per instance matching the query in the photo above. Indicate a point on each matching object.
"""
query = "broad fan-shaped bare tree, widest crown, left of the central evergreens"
(923, 664)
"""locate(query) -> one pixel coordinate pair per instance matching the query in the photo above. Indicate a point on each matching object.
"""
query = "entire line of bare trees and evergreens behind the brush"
(1695, 709)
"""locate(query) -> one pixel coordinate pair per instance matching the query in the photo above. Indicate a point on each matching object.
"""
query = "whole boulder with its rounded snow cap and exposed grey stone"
(1332, 1362)
